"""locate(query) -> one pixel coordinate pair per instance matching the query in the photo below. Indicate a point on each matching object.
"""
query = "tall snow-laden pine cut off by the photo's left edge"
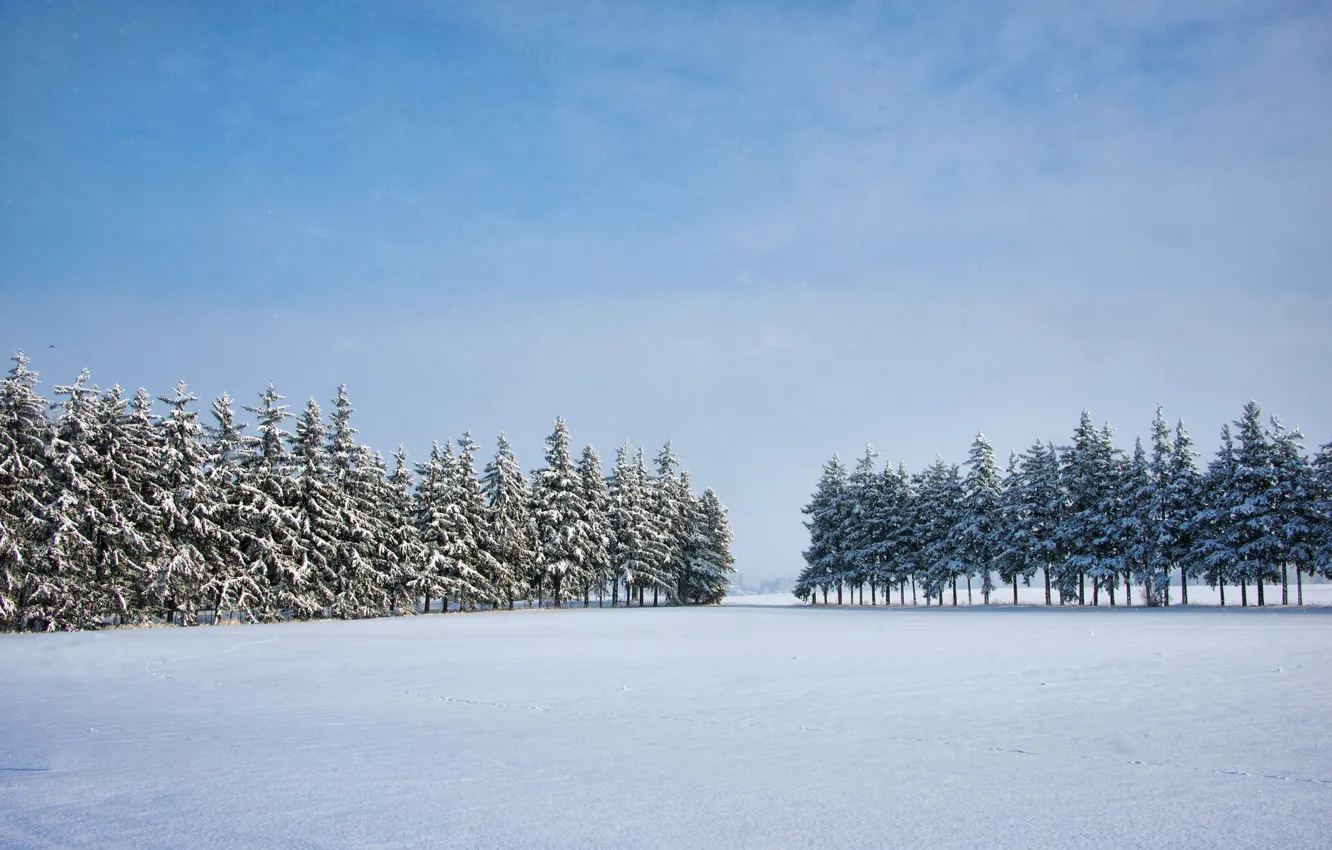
(26, 491)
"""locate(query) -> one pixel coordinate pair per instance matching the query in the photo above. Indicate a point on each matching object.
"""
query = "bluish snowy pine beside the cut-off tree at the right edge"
(1293, 506)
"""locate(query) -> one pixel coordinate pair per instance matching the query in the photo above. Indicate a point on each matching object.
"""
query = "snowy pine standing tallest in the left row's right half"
(559, 510)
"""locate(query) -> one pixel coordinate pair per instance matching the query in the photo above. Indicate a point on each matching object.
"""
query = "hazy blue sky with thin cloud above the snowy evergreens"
(767, 231)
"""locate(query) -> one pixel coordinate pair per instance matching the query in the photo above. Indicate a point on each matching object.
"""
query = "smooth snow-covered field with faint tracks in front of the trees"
(737, 727)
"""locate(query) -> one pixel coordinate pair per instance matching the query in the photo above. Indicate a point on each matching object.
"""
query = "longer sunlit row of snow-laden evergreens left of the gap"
(110, 512)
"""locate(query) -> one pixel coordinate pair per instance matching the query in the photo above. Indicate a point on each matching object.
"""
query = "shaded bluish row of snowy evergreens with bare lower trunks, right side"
(1078, 514)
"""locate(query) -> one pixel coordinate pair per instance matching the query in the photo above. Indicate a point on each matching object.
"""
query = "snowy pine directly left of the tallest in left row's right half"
(511, 534)
